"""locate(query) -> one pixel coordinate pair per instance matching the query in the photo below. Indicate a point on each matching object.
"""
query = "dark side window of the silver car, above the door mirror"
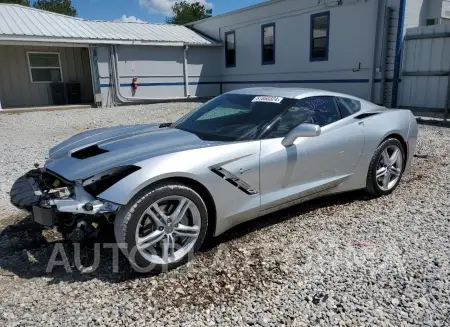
(321, 110)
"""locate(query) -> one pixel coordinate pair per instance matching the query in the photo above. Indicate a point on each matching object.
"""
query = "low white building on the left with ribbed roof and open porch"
(51, 59)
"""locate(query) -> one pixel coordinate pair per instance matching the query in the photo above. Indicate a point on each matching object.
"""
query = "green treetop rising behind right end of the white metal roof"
(184, 12)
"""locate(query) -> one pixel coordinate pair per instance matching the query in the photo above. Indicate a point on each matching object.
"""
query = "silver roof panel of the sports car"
(294, 93)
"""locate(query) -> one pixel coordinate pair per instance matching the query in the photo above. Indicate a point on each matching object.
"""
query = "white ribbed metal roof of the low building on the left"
(20, 23)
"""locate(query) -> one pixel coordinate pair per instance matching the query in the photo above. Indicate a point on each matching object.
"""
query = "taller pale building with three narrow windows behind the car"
(358, 43)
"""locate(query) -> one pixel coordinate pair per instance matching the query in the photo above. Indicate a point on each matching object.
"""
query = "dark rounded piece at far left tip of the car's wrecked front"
(22, 193)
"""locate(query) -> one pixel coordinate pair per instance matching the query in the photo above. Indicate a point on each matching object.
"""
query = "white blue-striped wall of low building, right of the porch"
(159, 71)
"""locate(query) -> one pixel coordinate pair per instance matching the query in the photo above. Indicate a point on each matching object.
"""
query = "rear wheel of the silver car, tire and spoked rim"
(377, 186)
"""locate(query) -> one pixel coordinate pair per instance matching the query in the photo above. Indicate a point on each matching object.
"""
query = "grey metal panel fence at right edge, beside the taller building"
(425, 81)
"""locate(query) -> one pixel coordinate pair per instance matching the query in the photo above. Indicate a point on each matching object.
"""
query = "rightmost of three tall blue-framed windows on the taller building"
(320, 35)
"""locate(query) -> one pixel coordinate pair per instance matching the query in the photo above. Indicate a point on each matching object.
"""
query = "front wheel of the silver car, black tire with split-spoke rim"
(132, 224)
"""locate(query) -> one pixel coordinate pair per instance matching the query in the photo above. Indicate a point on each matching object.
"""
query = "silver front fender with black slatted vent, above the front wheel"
(232, 204)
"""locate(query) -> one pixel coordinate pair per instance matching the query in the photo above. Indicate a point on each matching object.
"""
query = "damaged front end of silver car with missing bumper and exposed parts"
(72, 207)
